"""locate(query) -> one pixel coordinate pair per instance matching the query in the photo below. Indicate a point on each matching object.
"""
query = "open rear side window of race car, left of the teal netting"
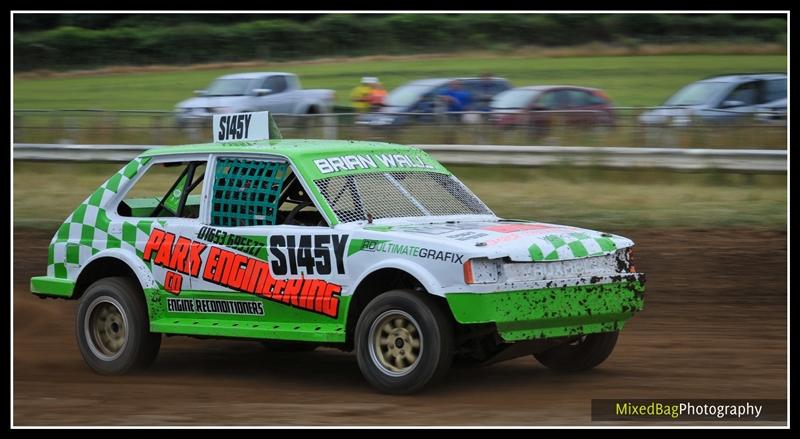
(166, 190)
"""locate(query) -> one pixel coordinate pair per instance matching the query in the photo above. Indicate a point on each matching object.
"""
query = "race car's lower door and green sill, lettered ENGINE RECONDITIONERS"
(277, 282)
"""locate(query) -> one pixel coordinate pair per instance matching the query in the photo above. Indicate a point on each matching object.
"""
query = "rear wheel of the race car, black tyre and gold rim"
(113, 328)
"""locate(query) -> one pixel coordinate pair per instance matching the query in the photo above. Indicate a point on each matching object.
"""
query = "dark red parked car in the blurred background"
(546, 105)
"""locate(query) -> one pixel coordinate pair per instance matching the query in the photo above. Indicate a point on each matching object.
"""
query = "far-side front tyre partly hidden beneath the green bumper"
(583, 354)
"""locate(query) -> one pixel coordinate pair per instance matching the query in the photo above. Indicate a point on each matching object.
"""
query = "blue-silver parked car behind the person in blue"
(421, 97)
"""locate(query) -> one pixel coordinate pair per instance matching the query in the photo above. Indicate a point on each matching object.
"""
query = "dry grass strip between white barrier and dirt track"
(45, 194)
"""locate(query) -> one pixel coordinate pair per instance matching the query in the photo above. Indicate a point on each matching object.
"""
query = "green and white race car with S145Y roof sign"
(368, 247)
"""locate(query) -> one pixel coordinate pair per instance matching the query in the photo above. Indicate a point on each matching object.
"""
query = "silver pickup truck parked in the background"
(276, 92)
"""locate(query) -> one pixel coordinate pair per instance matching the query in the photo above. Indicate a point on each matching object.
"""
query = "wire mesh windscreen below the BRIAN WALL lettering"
(398, 194)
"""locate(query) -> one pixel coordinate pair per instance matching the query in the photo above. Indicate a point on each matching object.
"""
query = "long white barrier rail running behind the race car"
(747, 160)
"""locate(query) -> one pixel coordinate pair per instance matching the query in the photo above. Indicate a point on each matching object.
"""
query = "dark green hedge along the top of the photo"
(93, 40)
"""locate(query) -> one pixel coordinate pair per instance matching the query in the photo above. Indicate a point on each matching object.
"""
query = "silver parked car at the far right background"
(722, 98)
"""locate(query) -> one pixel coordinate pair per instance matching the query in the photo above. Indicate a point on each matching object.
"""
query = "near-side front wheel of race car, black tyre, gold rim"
(403, 342)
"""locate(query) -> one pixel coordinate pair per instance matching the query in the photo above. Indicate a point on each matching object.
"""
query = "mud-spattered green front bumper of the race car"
(553, 312)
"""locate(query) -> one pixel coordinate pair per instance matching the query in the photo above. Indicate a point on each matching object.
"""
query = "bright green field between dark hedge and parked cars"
(630, 80)
